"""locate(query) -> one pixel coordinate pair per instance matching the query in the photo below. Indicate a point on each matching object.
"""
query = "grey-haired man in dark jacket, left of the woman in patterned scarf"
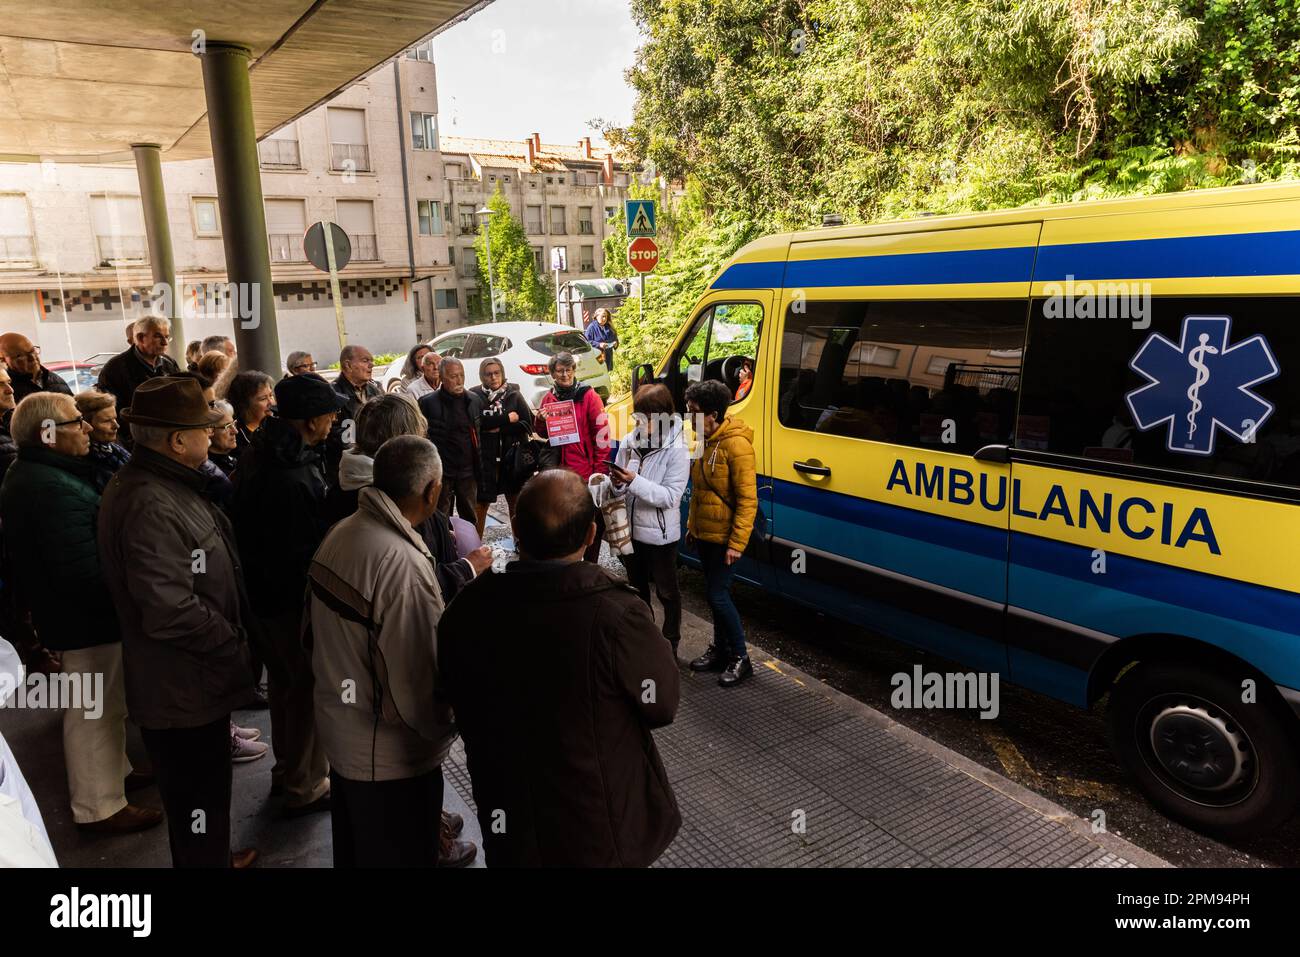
(454, 414)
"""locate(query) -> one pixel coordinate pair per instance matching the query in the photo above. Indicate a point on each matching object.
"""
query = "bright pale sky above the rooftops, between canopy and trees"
(545, 67)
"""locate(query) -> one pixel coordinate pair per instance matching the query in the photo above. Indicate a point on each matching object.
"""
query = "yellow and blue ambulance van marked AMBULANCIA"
(1061, 444)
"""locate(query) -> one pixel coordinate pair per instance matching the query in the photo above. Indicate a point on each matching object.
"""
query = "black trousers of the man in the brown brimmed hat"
(192, 768)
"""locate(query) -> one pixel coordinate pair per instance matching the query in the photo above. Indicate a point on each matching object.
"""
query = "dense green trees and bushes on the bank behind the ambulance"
(777, 112)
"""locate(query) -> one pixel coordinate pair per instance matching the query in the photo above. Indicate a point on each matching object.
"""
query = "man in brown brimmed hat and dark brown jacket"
(171, 564)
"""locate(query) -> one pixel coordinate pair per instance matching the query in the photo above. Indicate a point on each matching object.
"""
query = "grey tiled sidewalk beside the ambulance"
(752, 765)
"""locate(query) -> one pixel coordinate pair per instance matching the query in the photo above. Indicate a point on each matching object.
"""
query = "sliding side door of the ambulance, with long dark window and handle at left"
(900, 363)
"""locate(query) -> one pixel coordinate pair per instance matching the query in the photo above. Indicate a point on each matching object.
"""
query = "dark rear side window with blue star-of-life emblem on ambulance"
(1203, 386)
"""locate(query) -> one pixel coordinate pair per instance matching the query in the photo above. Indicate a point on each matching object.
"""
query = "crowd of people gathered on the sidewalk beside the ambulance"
(188, 534)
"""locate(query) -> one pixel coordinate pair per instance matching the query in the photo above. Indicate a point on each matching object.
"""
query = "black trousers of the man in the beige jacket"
(387, 824)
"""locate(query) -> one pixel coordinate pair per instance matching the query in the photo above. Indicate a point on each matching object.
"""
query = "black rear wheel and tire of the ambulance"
(1249, 778)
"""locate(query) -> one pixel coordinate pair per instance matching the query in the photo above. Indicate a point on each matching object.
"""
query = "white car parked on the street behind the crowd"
(523, 348)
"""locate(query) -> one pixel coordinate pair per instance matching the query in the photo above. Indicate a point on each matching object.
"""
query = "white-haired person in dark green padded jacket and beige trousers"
(50, 506)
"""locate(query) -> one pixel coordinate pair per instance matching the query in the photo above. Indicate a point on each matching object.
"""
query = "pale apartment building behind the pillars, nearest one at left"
(75, 262)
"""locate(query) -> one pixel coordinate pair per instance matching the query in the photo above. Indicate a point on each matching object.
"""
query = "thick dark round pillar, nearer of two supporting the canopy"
(244, 219)
